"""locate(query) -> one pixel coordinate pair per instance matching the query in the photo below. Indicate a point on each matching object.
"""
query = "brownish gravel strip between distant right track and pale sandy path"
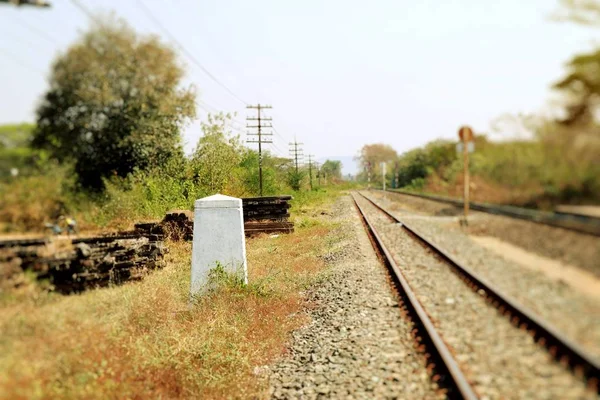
(567, 246)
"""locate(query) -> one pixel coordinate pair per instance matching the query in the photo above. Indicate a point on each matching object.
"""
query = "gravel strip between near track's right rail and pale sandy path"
(574, 314)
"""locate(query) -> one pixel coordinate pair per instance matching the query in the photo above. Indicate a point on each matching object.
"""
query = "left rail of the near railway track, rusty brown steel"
(452, 377)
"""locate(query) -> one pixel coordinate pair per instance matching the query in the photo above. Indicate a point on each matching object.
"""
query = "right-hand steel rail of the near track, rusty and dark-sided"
(559, 345)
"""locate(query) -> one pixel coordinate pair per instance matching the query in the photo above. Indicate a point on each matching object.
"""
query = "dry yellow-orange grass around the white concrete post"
(145, 340)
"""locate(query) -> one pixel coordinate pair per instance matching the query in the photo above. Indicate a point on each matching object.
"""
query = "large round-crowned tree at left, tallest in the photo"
(114, 104)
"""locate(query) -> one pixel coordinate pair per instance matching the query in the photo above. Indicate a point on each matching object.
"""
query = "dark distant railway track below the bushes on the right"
(575, 222)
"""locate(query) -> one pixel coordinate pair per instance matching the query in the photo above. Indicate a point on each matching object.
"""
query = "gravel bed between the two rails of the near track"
(500, 360)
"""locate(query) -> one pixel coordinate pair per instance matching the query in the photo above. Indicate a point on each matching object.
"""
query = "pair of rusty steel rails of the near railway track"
(456, 381)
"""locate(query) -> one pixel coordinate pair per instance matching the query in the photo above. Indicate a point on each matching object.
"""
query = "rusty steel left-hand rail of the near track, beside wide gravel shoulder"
(459, 385)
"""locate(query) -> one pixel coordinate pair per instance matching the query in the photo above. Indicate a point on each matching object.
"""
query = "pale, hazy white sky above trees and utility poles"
(339, 74)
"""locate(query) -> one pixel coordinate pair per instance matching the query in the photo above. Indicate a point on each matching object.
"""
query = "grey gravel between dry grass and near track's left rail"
(357, 345)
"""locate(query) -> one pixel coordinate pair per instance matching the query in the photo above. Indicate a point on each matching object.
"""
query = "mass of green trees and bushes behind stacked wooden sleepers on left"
(107, 148)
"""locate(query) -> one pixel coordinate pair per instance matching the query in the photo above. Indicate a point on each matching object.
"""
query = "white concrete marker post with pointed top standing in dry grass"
(218, 238)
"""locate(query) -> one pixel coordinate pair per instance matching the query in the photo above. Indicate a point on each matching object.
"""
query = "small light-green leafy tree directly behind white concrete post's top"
(217, 155)
